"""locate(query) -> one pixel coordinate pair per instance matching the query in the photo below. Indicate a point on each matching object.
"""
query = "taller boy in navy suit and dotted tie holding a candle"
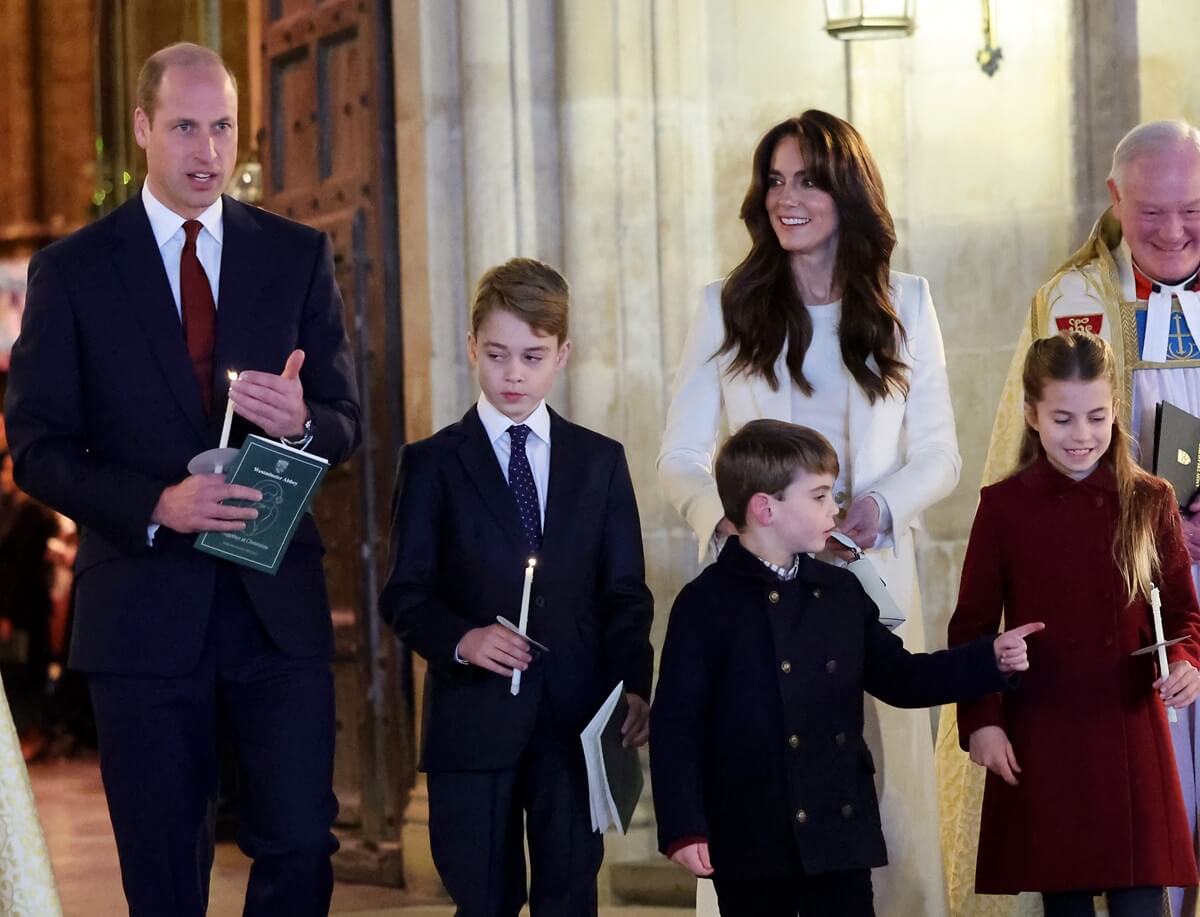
(473, 504)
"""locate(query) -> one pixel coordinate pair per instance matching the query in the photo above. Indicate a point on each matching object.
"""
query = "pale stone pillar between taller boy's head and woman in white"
(611, 250)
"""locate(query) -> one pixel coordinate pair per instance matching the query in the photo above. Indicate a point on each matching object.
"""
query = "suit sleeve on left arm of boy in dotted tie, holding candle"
(410, 602)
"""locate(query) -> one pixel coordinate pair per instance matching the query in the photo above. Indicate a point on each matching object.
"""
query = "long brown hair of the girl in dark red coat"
(1084, 357)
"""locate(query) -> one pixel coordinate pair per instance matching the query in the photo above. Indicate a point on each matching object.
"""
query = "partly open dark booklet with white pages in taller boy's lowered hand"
(615, 772)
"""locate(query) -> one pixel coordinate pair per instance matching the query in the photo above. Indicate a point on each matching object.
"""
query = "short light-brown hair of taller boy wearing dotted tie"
(533, 292)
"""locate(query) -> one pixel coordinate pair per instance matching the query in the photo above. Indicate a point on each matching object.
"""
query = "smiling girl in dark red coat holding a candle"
(1083, 795)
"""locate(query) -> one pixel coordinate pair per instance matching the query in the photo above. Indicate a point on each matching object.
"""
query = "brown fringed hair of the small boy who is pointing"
(764, 458)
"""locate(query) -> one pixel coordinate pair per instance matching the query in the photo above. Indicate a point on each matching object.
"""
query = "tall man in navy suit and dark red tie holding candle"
(118, 380)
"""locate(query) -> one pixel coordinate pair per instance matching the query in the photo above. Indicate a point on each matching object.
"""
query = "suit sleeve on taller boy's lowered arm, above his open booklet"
(629, 607)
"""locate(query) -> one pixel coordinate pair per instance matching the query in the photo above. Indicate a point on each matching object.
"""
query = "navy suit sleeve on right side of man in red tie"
(328, 374)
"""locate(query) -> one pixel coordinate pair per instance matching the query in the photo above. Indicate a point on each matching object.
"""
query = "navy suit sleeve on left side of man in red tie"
(47, 422)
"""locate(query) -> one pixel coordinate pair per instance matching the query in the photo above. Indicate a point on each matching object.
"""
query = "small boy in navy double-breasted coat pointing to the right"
(763, 778)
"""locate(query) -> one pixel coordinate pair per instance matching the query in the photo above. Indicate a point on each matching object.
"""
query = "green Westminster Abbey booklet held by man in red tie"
(287, 480)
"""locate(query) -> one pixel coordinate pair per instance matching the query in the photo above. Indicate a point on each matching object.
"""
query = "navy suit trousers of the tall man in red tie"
(160, 765)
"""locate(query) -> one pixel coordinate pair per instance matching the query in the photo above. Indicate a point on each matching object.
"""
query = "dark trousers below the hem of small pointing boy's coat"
(837, 895)
